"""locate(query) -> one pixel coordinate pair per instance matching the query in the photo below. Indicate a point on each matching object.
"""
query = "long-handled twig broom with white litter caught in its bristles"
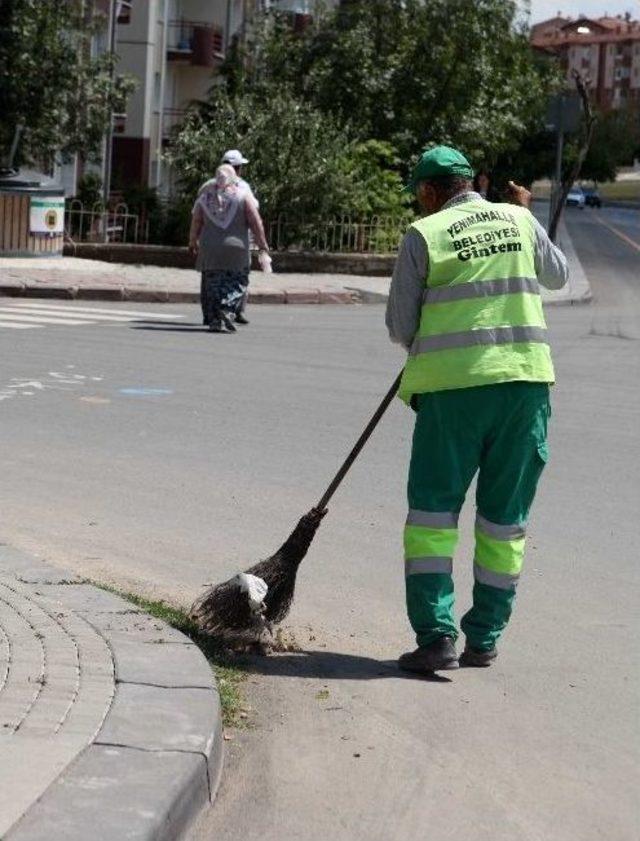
(228, 609)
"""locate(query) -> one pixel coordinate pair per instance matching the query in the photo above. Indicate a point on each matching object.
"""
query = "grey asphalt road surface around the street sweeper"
(166, 458)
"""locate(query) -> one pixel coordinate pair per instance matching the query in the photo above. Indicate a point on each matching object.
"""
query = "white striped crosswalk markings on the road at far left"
(24, 315)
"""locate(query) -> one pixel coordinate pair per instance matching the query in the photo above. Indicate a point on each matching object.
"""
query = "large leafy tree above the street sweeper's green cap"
(407, 72)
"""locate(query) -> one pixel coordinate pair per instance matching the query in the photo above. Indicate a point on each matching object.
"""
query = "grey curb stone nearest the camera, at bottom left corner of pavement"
(112, 794)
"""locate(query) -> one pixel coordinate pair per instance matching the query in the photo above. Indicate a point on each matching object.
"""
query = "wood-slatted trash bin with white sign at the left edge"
(31, 215)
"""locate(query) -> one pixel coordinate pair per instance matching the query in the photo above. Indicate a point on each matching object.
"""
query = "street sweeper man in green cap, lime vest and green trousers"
(465, 303)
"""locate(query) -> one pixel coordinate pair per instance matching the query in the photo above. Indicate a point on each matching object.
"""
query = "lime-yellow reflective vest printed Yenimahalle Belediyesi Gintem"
(482, 320)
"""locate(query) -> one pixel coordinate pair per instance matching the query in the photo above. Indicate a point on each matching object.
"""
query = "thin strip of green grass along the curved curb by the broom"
(225, 668)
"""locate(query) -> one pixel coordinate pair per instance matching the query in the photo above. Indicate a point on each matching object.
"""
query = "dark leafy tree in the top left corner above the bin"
(49, 82)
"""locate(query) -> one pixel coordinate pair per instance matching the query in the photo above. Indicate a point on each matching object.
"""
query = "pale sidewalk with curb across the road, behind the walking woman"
(72, 277)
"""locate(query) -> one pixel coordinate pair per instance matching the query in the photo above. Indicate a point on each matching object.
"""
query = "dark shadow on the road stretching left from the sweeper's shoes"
(330, 665)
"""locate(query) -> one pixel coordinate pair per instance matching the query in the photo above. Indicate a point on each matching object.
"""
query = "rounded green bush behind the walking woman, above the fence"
(302, 163)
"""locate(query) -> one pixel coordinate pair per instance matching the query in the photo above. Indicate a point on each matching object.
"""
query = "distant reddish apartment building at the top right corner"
(604, 50)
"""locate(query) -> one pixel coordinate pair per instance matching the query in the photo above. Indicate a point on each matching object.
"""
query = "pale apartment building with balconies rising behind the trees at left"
(173, 49)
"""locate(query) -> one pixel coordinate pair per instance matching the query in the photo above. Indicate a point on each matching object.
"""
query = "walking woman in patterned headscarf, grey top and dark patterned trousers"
(222, 217)
